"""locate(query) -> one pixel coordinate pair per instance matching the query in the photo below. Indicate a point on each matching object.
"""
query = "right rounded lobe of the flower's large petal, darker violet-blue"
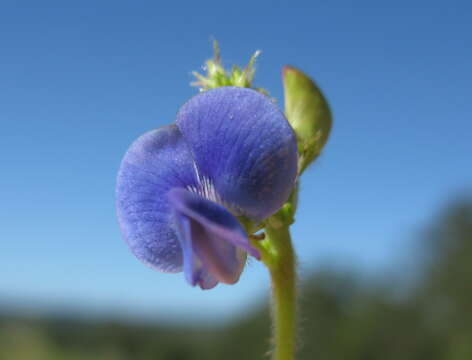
(244, 148)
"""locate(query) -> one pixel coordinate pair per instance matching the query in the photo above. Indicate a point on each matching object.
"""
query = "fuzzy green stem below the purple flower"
(280, 260)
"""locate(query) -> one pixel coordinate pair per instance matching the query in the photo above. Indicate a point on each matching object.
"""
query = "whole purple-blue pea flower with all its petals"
(230, 153)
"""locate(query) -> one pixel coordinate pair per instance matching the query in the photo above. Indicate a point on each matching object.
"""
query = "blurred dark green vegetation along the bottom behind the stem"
(342, 317)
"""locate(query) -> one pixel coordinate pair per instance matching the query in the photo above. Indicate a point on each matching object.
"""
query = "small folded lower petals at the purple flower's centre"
(213, 242)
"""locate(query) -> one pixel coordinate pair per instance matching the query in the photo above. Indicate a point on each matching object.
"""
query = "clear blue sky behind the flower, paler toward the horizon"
(79, 81)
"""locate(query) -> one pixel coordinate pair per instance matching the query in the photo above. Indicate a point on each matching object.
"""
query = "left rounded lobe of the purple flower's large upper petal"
(156, 162)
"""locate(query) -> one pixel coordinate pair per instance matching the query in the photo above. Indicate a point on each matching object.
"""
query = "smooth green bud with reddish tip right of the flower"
(308, 112)
